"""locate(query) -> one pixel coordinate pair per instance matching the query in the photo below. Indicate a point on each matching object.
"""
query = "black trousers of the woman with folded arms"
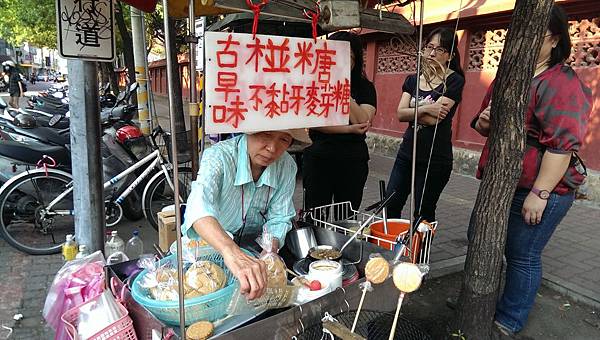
(438, 177)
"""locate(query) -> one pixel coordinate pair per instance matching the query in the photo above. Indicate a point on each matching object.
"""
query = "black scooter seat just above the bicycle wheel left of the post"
(32, 154)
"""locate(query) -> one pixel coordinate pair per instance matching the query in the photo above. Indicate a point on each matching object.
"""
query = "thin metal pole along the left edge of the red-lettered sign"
(193, 90)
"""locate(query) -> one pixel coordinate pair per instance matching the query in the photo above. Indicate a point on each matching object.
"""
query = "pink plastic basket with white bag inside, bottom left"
(121, 329)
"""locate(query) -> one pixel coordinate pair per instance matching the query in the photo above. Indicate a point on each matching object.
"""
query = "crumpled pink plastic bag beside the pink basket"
(76, 282)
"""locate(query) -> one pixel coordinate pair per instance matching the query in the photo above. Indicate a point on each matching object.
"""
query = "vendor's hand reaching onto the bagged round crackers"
(250, 272)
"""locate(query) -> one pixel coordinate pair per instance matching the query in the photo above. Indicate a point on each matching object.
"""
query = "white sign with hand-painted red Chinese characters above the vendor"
(273, 82)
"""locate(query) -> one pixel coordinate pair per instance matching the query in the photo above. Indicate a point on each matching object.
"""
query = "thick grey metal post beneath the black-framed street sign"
(88, 193)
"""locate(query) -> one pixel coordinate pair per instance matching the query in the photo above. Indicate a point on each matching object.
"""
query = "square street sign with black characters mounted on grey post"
(86, 29)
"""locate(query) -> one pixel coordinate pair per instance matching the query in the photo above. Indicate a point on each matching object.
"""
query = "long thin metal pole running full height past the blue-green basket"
(170, 71)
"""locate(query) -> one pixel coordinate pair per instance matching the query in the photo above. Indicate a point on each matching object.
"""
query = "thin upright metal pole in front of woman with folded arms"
(415, 130)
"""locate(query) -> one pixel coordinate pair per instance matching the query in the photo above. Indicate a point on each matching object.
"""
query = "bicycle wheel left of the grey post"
(22, 202)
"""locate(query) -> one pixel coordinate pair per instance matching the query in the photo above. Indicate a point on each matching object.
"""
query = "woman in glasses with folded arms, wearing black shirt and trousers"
(441, 85)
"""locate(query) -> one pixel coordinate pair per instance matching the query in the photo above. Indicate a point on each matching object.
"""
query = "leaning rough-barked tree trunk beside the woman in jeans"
(477, 302)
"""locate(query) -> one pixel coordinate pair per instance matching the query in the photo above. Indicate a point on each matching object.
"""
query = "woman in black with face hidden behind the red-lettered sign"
(335, 166)
